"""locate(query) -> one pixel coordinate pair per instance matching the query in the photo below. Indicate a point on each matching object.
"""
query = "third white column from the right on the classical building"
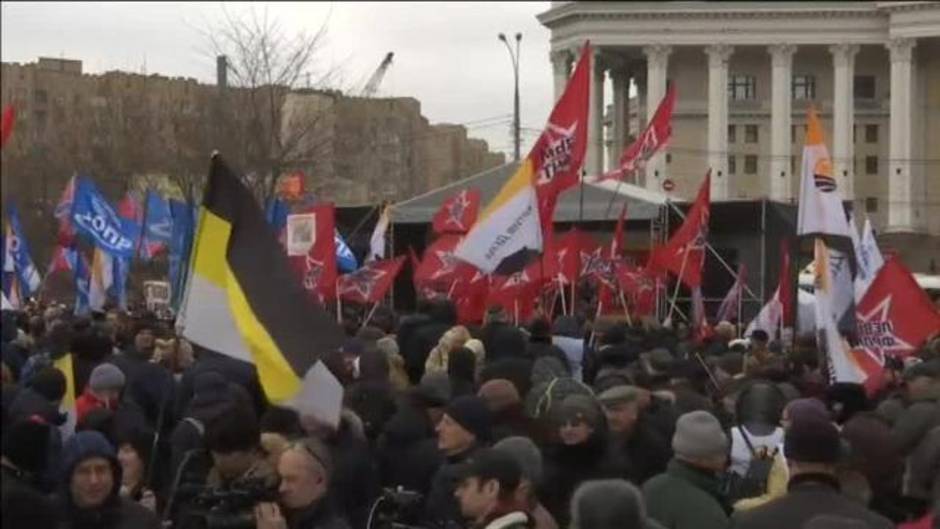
(781, 58)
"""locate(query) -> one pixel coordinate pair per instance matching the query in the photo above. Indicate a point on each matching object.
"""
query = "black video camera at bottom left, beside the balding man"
(224, 507)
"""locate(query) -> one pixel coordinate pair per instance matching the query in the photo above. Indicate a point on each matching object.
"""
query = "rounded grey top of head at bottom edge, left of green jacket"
(607, 504)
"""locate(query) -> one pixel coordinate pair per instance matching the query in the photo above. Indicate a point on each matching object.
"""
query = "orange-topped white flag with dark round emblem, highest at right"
(820, 208)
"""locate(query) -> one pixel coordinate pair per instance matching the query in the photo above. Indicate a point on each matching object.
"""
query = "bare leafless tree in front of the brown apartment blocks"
(274, 114)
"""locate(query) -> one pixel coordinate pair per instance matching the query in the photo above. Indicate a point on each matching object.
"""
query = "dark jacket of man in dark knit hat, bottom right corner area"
(808, 495)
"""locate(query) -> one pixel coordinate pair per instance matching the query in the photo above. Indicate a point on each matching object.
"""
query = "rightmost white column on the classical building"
(900, 209)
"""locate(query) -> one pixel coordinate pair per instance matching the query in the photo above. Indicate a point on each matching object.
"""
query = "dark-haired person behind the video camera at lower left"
(234, 441)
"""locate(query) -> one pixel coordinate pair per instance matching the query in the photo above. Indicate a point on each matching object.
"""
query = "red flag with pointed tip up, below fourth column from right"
(684, 253)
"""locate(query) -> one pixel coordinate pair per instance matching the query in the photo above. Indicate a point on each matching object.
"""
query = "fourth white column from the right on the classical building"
(718, 56)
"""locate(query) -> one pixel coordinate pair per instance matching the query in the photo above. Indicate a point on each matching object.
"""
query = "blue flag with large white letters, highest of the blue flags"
(94, 217)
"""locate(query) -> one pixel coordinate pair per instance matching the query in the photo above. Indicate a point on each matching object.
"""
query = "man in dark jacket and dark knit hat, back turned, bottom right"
(811, 447)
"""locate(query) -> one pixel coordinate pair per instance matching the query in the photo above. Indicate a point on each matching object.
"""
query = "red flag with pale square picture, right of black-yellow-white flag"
(316, 268)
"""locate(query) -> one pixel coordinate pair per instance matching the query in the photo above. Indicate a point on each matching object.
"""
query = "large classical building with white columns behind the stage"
(745, 74)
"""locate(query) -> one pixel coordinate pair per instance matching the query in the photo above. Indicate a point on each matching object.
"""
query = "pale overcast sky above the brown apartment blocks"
(446, 54)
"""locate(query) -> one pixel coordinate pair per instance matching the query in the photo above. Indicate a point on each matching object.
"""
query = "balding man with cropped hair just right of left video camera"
(304, 468)
